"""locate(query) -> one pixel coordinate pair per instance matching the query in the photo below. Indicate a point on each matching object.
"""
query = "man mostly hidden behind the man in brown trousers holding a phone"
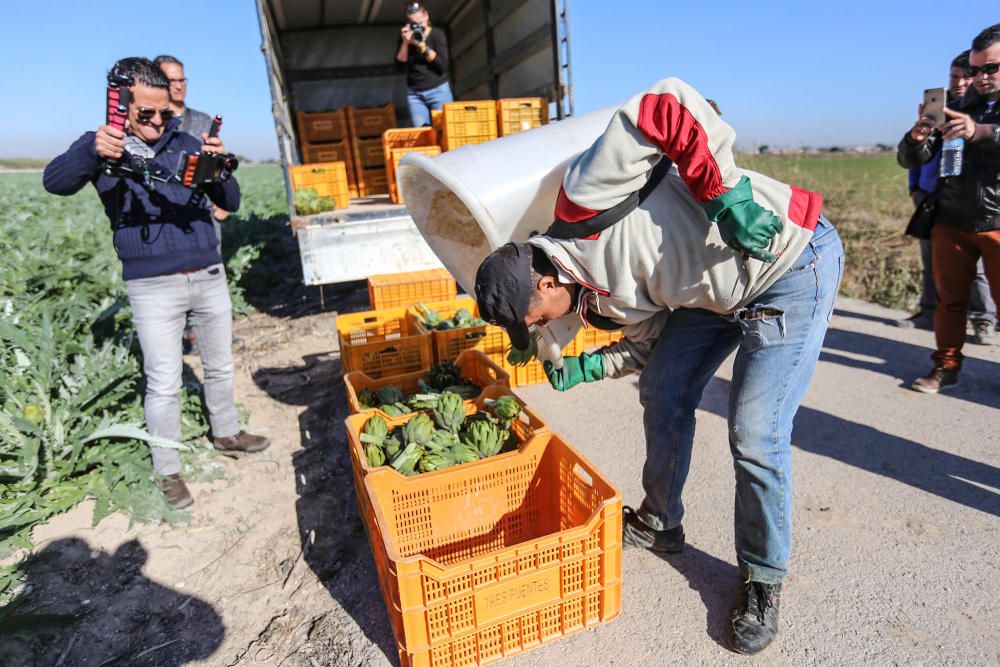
(922, 181)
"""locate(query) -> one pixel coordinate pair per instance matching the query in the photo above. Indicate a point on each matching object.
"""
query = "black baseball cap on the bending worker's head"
(503, 291)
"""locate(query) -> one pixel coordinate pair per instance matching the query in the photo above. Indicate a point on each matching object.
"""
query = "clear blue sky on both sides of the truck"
(785, 73)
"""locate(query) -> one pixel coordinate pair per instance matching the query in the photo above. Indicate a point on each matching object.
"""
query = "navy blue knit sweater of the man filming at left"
(158, 232)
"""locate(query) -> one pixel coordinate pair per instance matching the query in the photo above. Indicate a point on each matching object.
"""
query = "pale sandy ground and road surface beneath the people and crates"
(895, 559)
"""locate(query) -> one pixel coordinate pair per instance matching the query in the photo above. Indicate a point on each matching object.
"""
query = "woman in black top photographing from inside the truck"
(423, 54)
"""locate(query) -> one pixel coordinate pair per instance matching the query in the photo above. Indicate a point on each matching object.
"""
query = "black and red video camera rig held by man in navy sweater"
(194, 170)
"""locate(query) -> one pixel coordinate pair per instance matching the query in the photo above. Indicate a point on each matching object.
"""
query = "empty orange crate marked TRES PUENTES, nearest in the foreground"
(538, 559)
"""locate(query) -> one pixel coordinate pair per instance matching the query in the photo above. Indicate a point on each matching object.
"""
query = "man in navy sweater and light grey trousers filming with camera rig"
(171, 264)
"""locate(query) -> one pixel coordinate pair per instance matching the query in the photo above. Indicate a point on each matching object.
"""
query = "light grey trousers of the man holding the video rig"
(160, 307)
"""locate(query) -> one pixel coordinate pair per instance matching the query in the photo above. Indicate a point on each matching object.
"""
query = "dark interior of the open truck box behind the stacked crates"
(326, 54)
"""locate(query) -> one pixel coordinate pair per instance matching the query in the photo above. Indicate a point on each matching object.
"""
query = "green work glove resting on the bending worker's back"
(745, 225)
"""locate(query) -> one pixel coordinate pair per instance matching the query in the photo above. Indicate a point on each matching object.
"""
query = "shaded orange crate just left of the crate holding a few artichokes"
(380, 343)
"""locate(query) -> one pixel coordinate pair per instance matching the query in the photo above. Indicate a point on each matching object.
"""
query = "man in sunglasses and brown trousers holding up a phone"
(967, 219)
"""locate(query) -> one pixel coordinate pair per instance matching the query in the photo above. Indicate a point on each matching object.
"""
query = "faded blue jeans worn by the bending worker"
(779, 338)
